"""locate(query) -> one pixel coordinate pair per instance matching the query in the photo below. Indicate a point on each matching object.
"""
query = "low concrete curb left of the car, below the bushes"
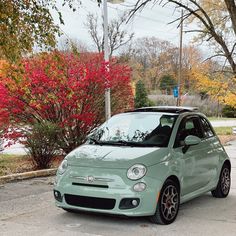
(27, 175)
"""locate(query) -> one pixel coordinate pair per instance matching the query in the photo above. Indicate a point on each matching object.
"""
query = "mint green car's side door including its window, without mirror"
(192, 161)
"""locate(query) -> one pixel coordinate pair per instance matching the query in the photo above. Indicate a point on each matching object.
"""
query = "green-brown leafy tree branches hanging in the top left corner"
(25, 24)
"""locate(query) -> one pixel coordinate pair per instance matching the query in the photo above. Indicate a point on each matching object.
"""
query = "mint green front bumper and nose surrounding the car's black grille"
(79, 194)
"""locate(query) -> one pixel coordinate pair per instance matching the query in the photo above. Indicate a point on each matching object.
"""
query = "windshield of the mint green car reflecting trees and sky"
(135, 129)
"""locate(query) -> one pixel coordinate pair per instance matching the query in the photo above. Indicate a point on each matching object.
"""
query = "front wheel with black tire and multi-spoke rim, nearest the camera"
(168, 204)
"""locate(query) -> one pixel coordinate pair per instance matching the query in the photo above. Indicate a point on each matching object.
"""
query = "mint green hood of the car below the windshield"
(116, 156)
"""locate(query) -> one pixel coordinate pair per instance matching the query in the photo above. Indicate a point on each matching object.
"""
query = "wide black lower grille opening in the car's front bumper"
(90, 202)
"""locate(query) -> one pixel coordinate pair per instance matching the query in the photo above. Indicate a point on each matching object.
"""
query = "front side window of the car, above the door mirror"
(188, 126)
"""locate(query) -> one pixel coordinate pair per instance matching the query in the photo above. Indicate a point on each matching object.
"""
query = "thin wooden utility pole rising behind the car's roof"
(180, 60)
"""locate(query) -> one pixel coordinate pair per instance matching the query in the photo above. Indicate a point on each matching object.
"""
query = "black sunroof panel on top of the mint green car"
(167, 109)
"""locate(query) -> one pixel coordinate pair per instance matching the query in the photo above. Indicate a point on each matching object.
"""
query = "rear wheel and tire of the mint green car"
(223, 186)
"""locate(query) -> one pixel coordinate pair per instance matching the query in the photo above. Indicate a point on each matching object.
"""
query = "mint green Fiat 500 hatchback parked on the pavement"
(145, 162)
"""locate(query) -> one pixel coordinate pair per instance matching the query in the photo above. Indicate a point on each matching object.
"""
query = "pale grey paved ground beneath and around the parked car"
(27, 208)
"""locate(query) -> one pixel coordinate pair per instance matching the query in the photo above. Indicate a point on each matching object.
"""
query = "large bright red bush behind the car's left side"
(66, 90)
